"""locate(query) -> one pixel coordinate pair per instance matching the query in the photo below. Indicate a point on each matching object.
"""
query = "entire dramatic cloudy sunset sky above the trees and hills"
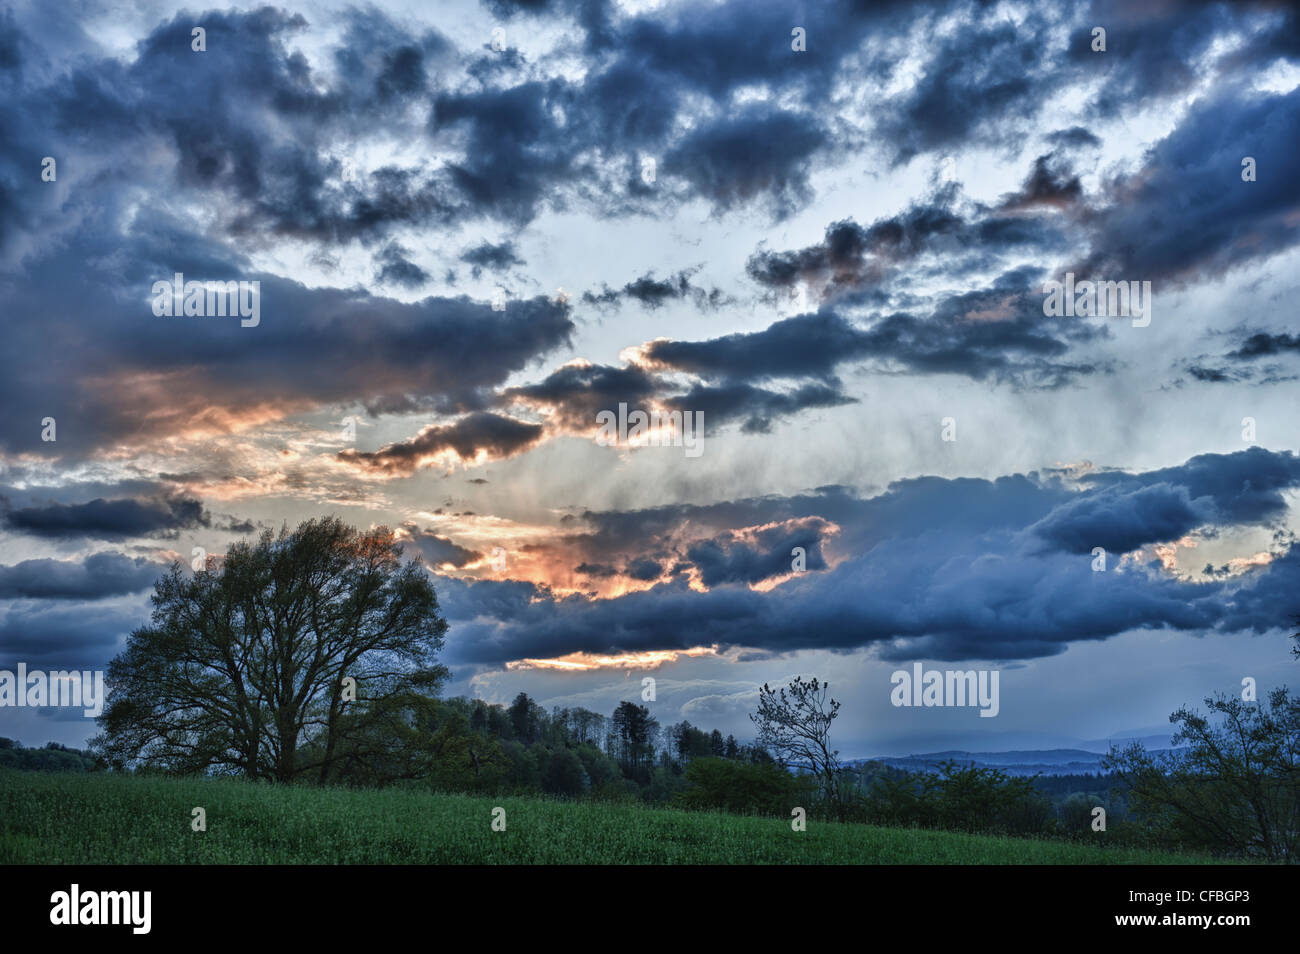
(838, 250)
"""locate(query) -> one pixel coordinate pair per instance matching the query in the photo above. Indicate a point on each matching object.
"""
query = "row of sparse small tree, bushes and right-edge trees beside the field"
(1230, 784)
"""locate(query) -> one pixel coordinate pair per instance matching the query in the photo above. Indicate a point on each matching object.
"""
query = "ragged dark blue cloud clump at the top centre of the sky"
(648, 73)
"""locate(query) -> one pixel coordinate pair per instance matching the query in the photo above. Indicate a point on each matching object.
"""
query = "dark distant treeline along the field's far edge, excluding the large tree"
(473, 747)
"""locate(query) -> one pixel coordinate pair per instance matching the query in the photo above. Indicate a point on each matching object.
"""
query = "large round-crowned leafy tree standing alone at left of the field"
(253, 666)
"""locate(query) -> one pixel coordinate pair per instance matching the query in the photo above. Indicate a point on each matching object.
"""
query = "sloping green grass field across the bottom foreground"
(96, 819)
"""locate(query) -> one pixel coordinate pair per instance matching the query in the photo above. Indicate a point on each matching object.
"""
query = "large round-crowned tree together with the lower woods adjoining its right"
(311, 656)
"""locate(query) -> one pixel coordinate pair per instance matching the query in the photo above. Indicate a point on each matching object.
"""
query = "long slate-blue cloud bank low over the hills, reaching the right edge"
(935, 569)
